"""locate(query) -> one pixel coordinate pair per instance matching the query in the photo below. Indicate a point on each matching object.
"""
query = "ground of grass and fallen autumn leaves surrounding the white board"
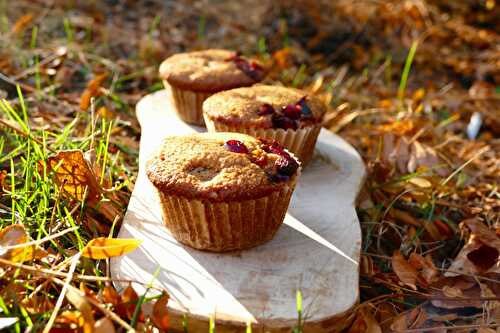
(413, 85)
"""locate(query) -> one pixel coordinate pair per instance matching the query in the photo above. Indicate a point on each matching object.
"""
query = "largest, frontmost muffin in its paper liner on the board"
(222, 191)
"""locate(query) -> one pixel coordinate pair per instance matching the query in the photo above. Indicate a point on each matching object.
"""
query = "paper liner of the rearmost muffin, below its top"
(188, 104)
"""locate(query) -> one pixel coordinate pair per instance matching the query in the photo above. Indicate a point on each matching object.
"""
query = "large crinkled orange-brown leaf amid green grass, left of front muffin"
(75, 174)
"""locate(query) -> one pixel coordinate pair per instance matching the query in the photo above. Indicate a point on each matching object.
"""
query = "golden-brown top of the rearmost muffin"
(211, 70)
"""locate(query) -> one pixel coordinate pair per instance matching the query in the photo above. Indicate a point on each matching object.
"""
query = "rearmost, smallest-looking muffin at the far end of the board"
(194, 76)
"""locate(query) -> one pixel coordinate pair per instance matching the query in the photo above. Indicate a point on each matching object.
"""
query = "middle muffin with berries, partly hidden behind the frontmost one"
(286, 115)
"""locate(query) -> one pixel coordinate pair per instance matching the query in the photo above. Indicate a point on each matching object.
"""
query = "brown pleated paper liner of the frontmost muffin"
(225, 226)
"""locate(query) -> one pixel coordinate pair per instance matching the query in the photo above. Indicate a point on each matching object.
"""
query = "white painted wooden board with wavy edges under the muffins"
(257, 285)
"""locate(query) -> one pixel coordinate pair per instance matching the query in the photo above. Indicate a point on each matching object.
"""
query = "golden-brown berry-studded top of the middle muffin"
(264, 106)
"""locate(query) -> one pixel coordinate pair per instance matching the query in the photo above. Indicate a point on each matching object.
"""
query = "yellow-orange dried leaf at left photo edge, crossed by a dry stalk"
(15, 234)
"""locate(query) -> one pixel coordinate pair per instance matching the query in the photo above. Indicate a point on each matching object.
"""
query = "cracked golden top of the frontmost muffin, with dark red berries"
(221, 167)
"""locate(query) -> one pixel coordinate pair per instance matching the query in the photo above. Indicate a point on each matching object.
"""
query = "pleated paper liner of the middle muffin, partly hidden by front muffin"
(301, 142)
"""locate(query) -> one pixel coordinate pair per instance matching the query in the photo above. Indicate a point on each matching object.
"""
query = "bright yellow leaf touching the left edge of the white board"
(102, 248)
